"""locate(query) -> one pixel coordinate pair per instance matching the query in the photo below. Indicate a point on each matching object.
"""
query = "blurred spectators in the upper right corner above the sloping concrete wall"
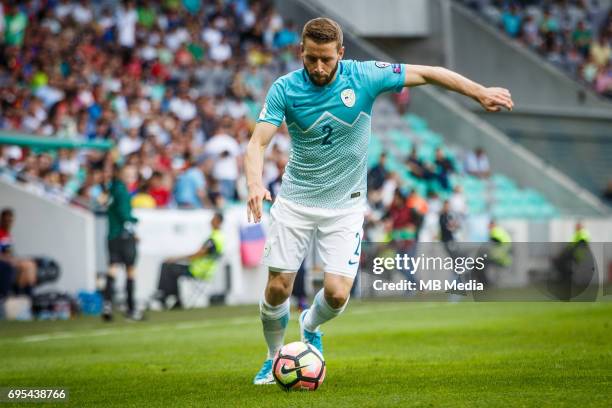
(575, 35)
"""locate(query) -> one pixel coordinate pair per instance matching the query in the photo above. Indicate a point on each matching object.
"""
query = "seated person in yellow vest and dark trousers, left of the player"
(199, 265)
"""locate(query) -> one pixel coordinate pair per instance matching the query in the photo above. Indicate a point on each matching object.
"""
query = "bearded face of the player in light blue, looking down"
(321, 60)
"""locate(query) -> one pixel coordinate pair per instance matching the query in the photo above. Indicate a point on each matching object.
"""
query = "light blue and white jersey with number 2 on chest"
(330, 130)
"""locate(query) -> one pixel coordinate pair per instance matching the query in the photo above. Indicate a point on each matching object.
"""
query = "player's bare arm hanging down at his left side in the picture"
(253, 165)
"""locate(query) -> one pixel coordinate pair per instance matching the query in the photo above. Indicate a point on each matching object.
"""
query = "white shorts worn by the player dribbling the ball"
(337, 235)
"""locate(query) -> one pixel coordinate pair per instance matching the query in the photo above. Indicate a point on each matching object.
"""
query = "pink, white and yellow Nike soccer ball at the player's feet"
(298, 366)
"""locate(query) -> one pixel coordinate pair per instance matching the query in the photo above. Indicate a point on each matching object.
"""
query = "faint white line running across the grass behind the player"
(198, 324)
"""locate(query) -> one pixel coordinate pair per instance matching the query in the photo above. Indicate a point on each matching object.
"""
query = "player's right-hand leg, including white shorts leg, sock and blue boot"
(338, 245)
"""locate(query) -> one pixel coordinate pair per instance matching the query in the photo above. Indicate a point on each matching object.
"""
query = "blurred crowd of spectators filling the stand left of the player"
(172, 83)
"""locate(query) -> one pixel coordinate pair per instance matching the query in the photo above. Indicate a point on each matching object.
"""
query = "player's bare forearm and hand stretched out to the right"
(491, 99)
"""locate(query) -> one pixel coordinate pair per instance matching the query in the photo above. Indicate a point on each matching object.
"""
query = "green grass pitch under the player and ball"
(378, 354)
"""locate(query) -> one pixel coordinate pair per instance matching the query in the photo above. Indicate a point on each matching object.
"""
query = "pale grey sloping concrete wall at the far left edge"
(47, 228)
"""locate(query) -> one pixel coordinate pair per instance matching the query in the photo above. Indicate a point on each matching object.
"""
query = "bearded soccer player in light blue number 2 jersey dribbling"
(327, 107)
